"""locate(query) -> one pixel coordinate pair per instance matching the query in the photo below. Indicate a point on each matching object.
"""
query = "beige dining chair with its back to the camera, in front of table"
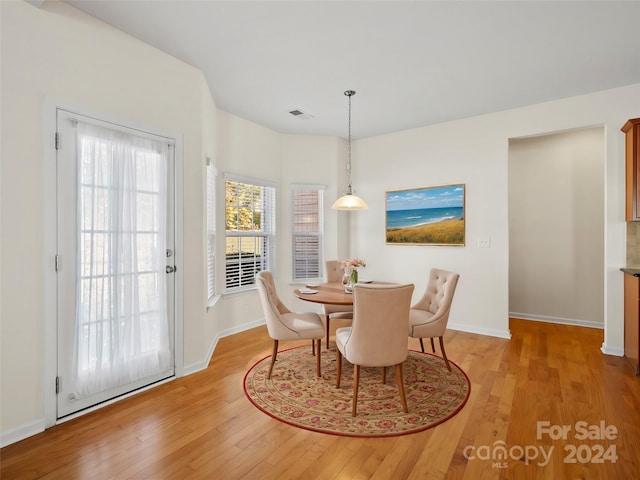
(378, 336)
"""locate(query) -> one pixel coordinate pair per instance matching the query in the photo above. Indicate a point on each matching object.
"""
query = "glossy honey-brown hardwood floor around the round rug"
(202, 426)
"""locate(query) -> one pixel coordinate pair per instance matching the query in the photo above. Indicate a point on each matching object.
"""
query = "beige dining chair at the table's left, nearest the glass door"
(283, 324)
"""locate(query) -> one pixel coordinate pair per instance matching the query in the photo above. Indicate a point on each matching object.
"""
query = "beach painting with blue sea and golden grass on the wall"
(426, 216)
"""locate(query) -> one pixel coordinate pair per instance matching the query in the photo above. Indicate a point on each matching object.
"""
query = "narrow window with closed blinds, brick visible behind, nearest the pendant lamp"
(306, 208)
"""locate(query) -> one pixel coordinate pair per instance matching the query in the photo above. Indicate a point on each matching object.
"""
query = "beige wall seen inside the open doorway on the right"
(556, 227)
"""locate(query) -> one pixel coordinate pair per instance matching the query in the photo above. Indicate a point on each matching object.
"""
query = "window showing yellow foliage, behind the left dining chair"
(249, 230)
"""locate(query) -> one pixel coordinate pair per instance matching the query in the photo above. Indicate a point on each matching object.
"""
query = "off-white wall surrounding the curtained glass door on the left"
(57, 54)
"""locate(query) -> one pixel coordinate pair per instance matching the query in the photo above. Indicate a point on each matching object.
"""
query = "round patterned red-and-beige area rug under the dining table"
(295, 395)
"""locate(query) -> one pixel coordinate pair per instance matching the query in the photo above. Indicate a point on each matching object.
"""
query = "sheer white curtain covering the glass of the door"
(122, 330)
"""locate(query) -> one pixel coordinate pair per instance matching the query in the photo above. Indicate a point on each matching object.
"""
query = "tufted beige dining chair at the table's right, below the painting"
(428, 318)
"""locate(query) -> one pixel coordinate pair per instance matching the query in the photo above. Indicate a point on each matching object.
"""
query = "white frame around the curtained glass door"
(49, 190)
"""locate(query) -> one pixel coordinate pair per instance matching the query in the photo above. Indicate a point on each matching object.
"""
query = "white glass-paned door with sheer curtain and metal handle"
(115, 240)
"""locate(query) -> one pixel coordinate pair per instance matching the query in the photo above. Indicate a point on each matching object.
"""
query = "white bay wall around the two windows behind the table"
(248, 149)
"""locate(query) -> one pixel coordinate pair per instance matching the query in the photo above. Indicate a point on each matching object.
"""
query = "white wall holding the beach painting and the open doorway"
(475, 151)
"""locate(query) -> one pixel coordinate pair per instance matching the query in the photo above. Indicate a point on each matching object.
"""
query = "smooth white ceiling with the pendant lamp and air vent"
(411, 63)
